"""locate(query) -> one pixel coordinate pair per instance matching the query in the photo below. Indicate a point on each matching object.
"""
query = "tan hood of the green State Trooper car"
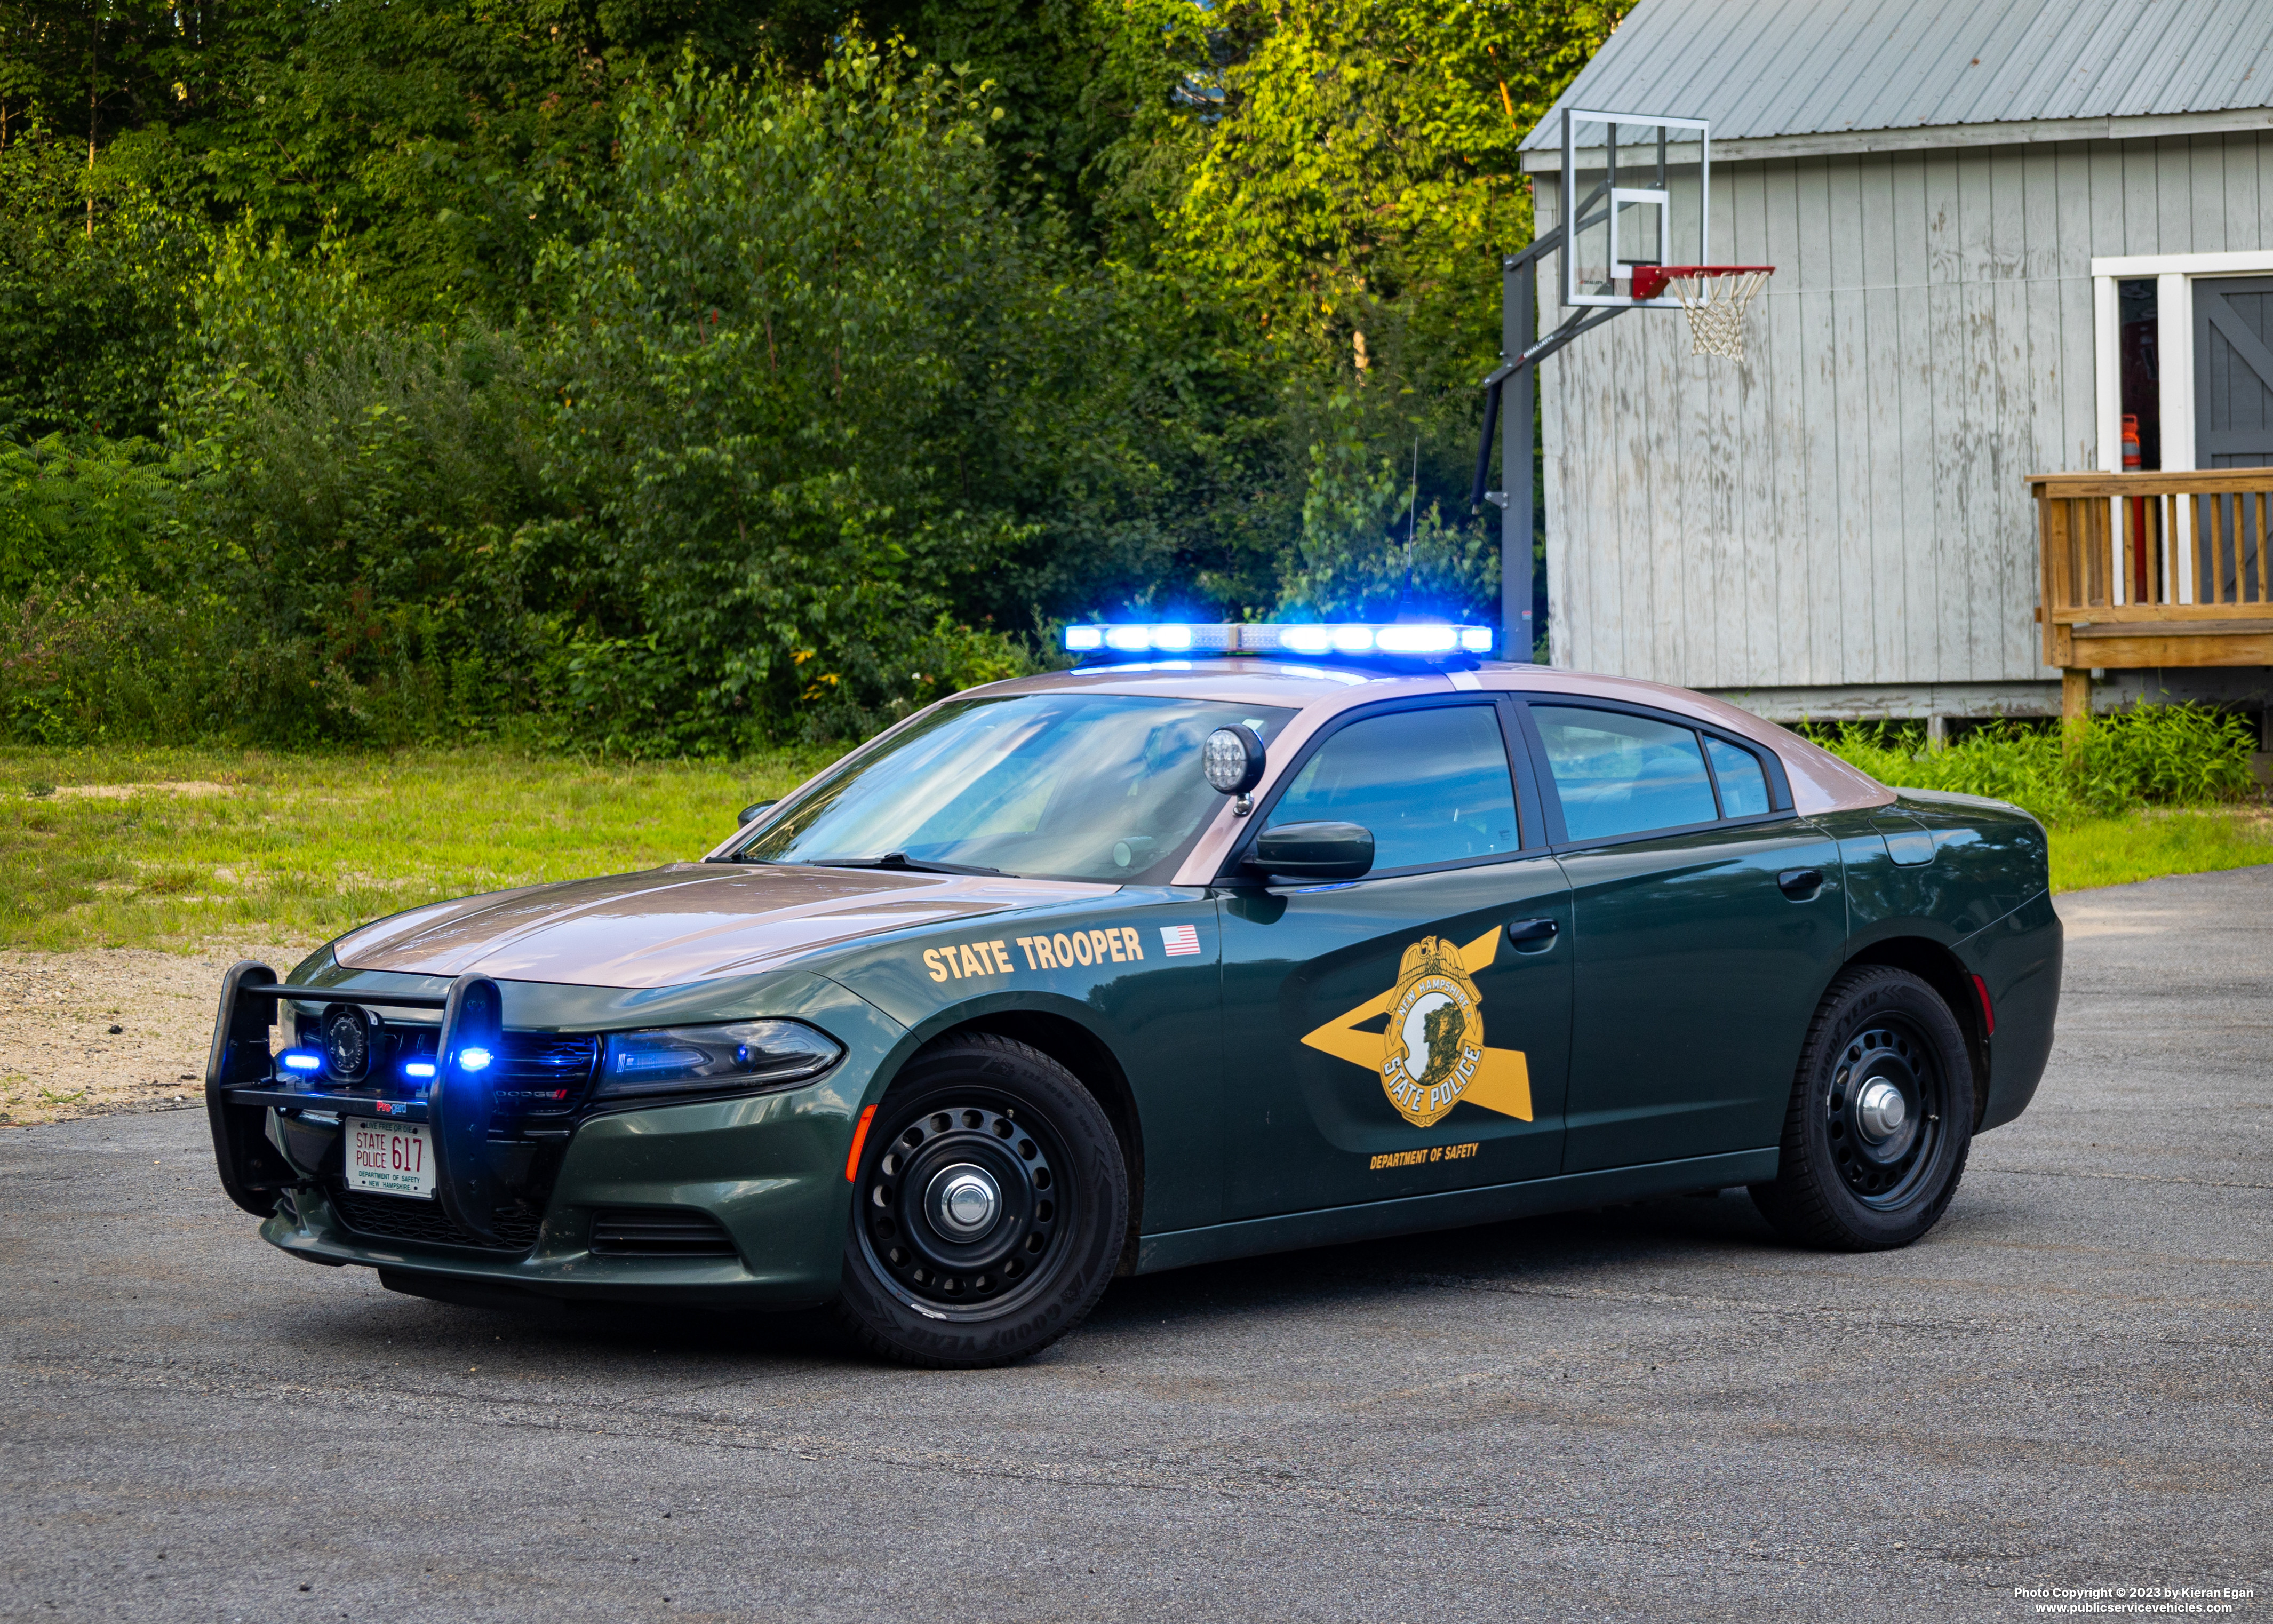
(685, 922)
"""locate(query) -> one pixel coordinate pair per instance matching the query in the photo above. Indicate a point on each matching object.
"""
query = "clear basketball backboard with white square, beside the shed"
(1635, 192)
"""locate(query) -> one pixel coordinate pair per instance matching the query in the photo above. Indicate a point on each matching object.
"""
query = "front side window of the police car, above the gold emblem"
(1433, 786)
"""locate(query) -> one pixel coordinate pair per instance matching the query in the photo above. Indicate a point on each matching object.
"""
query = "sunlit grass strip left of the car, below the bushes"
(97, 850)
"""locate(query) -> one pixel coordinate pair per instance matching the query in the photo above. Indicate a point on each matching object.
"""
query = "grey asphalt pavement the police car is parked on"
(1651, 1414)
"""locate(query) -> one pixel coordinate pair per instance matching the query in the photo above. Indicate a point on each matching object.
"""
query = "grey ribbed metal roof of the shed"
(1765, 69)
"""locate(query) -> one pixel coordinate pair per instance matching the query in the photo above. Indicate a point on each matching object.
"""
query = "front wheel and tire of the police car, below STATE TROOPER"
(988, 1209)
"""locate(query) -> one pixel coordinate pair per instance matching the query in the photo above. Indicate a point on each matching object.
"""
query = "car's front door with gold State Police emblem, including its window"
(1408, 1031)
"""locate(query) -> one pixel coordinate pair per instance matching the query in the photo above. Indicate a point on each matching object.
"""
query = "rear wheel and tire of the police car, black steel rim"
(1847, 1179)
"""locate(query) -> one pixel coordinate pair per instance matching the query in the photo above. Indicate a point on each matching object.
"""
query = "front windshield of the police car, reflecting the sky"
(1040, 786)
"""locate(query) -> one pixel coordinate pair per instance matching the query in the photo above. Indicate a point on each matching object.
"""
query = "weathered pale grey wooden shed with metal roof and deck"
(1999, 233)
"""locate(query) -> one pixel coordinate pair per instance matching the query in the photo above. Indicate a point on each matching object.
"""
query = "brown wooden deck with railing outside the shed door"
(2154, 570)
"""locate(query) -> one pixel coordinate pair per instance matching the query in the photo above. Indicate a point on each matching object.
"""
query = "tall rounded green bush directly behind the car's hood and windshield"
(813, 372)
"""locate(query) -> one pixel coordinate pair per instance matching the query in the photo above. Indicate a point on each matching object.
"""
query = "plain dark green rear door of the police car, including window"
(1708, 922)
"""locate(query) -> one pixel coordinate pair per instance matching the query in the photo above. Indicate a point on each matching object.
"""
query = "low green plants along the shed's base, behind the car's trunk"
(2117, 763)
